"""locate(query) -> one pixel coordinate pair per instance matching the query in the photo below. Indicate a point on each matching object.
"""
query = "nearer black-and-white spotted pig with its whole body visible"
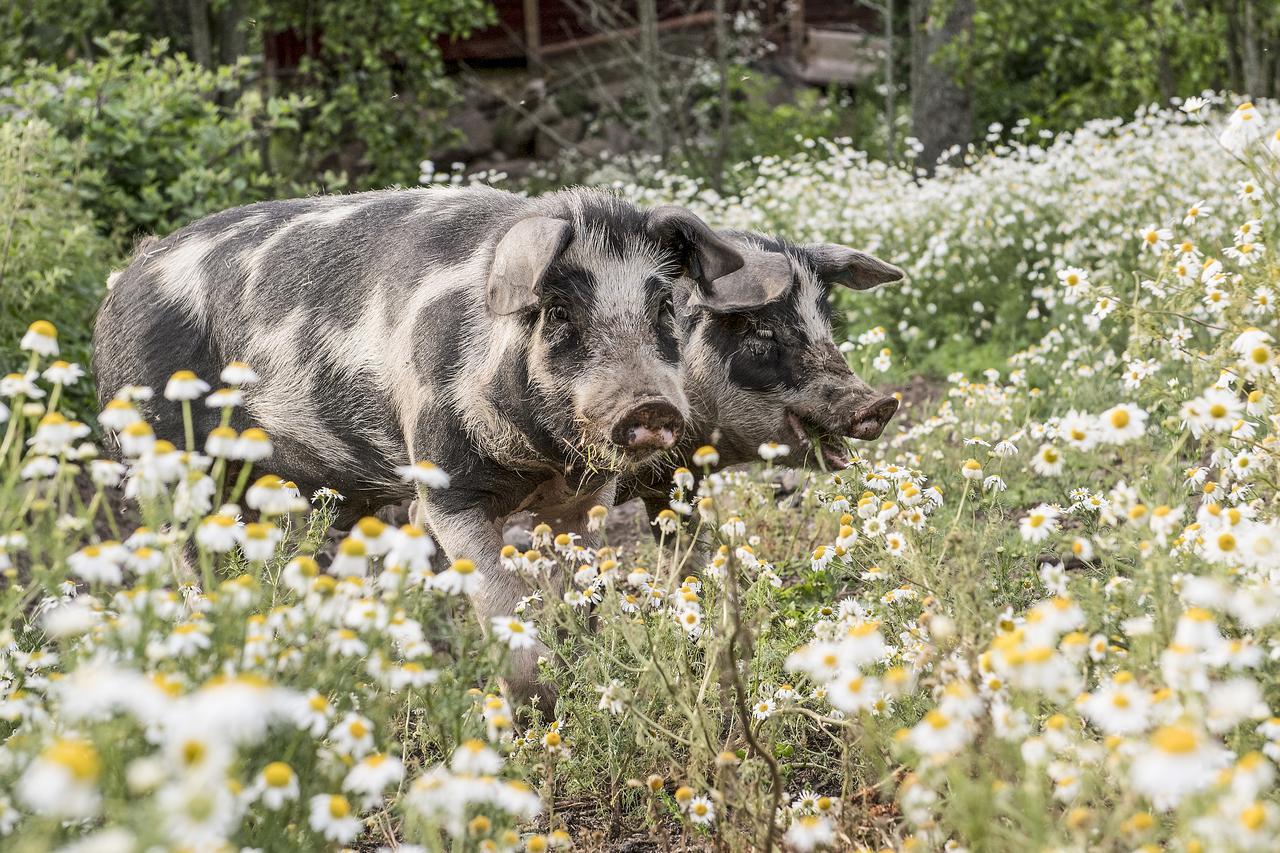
(525, 346)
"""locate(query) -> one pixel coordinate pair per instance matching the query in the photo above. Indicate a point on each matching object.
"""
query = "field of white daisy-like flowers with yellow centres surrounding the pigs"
(1043, 612)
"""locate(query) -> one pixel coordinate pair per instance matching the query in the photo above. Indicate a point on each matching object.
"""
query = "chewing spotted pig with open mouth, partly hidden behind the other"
(762, 366)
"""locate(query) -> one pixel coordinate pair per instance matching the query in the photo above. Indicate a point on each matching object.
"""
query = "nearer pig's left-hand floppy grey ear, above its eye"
(520, 263)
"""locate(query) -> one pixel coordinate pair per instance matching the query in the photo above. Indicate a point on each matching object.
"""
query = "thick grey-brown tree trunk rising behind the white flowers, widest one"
(941, 108)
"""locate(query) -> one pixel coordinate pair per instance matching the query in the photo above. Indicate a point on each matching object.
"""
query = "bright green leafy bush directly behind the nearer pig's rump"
(166, 142)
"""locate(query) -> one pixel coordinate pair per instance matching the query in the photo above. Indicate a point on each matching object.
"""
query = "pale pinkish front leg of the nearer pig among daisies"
(470, 535)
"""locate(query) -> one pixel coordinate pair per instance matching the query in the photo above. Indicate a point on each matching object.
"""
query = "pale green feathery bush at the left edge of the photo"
(53, 262)
